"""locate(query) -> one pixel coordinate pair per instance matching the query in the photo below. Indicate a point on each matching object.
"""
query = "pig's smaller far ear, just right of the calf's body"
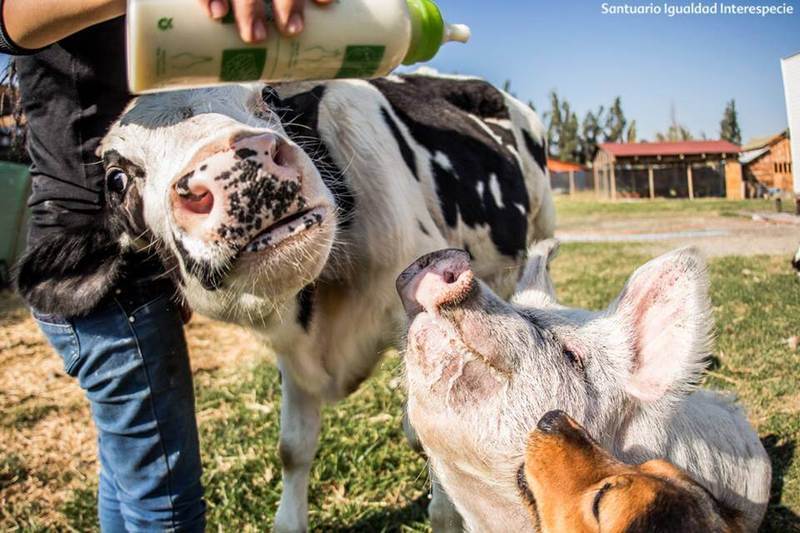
(535, 288)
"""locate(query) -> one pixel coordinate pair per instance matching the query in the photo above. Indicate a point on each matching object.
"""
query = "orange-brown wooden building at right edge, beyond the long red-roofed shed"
(767, 164)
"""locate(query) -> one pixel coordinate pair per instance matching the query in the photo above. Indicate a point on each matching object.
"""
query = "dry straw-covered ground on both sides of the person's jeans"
(47, 440)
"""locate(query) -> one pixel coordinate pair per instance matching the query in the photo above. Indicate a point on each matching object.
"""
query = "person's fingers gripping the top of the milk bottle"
(251, 16)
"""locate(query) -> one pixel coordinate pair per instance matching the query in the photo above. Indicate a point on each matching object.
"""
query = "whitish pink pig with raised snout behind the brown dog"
(482, 371)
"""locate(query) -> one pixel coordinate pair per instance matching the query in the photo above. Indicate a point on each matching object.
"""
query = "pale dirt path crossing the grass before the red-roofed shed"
(714, 235)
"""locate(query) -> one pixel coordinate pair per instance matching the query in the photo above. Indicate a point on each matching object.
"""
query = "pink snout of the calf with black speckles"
(227, 183)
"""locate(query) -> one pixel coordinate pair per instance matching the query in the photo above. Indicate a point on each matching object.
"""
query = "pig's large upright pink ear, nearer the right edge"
(666, 314)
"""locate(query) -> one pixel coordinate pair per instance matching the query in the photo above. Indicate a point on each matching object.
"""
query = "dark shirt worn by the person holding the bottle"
(71, 93)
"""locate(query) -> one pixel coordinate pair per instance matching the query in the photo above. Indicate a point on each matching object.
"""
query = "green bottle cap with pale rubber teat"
(429, 31)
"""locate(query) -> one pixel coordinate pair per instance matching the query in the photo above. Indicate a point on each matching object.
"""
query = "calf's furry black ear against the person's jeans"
(68, 273)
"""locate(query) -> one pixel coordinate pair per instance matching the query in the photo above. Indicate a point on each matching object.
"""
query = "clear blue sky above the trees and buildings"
(695, 62)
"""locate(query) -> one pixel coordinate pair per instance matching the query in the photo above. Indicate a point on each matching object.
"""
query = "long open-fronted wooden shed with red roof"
(686, 169)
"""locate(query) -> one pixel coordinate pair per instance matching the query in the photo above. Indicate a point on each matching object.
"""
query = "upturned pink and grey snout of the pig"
(434, 280)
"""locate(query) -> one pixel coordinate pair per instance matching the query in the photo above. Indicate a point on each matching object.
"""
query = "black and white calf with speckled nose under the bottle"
(292, 210)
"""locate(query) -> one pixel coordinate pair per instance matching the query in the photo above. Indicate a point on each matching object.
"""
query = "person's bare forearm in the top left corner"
(32, 25)
